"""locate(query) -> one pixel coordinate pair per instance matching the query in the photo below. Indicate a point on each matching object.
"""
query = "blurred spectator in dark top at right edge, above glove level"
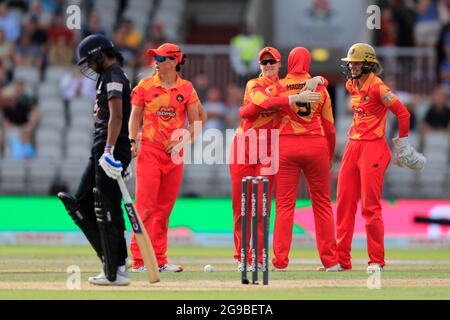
(438, 114)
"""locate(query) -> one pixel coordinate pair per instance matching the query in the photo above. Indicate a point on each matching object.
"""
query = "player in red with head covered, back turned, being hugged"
(307, 142)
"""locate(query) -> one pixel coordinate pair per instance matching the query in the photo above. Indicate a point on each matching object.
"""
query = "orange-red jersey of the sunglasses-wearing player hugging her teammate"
(258, 92)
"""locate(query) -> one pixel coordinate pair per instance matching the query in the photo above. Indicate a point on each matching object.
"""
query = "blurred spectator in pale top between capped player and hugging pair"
(216, 110)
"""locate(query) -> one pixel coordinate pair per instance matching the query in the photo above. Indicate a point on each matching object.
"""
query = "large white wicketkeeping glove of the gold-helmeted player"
(406, 156)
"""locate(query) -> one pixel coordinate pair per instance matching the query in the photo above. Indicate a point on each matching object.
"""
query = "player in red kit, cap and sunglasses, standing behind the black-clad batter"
(164, 101)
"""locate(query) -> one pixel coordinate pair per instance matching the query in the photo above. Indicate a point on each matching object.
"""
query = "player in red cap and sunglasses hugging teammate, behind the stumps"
(254, 134)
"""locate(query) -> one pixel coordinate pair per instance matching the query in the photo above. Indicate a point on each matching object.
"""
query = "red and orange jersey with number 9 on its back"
(304, 118)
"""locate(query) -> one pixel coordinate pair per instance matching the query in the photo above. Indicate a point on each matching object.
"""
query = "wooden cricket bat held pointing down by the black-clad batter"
(142, 239)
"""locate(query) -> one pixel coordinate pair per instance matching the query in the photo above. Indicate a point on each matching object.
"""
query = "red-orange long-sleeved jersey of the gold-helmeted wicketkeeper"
(370, 105)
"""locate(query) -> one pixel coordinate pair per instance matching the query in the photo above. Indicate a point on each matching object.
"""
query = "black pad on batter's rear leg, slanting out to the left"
(86, 222)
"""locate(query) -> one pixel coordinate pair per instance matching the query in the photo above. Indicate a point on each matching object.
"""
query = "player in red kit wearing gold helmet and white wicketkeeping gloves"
(367, 155)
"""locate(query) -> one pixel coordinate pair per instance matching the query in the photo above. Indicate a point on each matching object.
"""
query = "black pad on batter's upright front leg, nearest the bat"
(109, 233)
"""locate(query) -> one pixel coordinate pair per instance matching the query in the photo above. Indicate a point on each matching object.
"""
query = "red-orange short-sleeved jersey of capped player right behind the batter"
(164, 110)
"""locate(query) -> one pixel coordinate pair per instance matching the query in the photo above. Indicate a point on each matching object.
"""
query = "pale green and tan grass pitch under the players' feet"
(37, 272)
